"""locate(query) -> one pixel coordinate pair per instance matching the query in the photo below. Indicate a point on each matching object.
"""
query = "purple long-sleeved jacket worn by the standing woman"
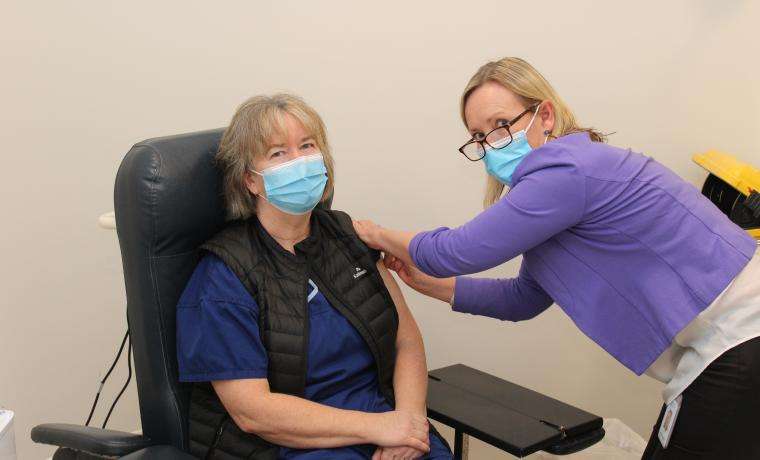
(628, 250)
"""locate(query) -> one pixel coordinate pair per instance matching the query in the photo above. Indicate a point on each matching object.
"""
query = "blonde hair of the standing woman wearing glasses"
(529, 85)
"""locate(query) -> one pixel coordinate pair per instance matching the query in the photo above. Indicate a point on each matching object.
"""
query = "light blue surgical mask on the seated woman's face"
(297, 186)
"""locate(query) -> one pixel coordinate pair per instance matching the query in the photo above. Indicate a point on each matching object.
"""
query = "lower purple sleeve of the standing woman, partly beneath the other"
(513, 299)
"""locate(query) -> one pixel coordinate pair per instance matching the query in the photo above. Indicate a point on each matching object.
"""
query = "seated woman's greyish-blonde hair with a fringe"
(248, 137)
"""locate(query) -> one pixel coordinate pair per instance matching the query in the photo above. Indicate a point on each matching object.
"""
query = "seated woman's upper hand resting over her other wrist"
(401, 428)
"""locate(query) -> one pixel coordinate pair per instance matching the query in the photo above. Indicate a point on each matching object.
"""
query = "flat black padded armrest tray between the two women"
(513, 418)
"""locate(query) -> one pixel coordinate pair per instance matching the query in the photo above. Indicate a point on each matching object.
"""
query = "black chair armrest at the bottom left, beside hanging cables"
(89, 439)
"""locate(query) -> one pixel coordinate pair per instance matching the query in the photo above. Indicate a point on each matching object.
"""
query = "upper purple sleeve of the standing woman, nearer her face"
(542, 204)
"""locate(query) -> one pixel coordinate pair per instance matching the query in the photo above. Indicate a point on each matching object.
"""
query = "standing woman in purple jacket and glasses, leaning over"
(643, 264)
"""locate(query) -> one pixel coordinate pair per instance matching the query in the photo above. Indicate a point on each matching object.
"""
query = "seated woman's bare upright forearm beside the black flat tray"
(410, 377)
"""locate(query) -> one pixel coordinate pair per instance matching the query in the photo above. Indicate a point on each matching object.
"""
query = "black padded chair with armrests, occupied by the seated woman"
(167, 202)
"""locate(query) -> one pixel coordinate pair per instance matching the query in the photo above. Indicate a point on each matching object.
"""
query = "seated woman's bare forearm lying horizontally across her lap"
(299, 423)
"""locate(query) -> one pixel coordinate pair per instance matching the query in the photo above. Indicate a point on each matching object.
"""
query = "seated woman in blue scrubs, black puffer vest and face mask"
(308, 345)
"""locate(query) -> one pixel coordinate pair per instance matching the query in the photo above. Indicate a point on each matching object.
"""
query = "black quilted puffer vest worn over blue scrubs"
(344, 270)
